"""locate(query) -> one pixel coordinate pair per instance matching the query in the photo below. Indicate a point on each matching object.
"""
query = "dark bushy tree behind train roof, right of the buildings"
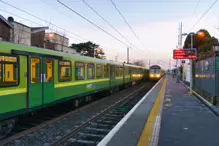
(89, 49)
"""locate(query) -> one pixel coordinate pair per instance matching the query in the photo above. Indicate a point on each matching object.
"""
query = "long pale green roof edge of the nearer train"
(31, 49)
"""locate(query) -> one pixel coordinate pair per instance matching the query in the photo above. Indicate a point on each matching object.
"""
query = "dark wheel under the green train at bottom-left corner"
(6, 127)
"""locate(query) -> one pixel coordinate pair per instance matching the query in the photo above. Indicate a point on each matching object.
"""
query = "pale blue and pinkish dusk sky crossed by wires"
(154, 21)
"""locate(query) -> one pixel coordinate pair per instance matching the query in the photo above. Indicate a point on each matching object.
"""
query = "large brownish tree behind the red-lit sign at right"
(203, 44)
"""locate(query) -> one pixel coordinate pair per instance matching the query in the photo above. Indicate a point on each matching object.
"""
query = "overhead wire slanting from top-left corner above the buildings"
(41, 19)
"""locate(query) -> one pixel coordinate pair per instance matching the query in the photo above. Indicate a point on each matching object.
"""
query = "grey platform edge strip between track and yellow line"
(130, 132)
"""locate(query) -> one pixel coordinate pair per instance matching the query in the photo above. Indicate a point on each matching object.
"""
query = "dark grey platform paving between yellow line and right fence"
(185, 120)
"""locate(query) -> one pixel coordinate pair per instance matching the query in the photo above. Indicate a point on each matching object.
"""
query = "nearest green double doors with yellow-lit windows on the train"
(41, 81)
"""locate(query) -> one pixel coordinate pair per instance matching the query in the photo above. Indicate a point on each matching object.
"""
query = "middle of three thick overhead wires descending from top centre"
(107, 22)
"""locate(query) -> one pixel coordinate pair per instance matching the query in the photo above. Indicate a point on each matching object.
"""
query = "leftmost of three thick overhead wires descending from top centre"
(92, 23)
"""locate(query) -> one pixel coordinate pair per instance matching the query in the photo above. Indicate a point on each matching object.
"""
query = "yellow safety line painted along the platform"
(146, 135)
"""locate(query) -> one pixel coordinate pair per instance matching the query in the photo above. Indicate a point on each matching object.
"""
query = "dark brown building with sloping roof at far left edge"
(5, 29)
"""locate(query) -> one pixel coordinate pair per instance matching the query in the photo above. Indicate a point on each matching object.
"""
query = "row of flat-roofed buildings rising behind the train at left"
(16, 32)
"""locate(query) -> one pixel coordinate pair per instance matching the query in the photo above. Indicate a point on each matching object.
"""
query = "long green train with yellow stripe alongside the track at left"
(33, 78)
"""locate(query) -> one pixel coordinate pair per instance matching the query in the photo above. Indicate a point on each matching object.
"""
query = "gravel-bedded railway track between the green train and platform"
(73, 120)
